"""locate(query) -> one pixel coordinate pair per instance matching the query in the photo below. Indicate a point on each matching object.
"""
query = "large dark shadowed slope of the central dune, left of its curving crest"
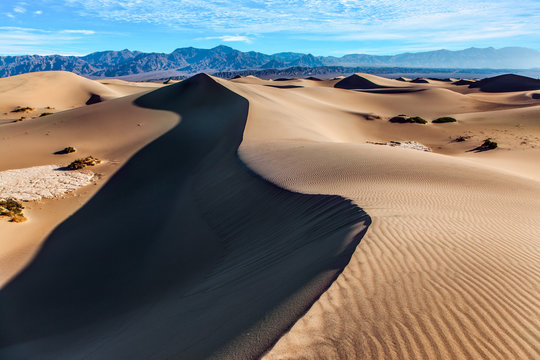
(184, 253)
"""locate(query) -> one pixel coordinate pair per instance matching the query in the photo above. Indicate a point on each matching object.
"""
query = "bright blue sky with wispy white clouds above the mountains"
(319, 27)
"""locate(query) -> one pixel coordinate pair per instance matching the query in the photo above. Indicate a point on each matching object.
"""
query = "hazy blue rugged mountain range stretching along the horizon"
(188, 61)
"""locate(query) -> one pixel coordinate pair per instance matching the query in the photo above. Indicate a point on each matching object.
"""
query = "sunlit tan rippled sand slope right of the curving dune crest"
(444, 246)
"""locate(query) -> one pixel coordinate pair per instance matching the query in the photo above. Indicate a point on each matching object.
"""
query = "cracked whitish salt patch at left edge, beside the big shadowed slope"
(40, 182)
